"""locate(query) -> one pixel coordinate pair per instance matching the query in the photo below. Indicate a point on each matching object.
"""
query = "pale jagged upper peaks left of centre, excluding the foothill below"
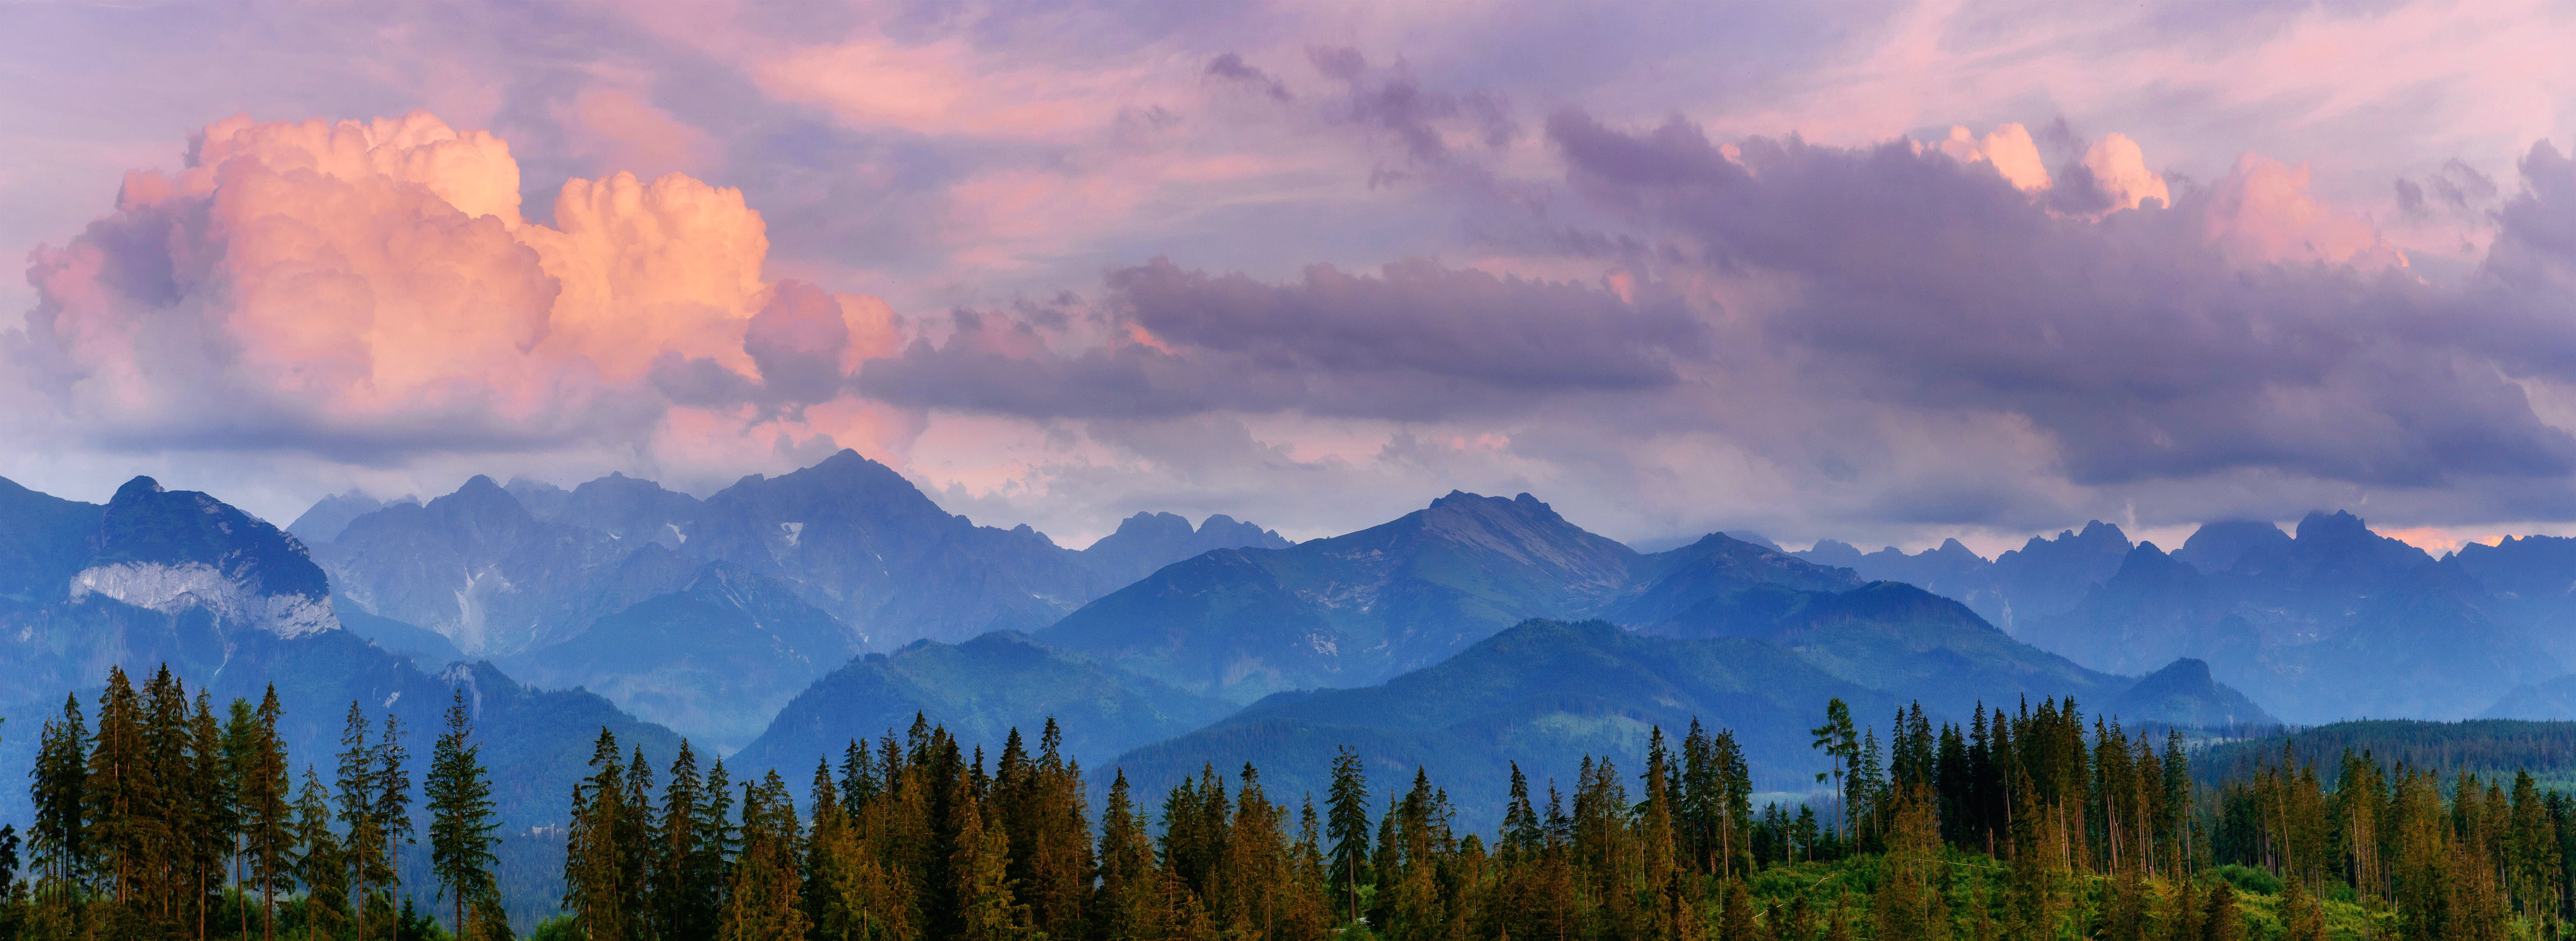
(509, 571)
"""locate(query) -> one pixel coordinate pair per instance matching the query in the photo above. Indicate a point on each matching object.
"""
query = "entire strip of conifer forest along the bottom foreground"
(161, 816)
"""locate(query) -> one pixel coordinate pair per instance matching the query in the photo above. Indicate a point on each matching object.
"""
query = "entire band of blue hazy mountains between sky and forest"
(782, 617)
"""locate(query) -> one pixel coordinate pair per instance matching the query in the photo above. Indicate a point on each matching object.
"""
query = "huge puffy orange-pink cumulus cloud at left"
(370, 293)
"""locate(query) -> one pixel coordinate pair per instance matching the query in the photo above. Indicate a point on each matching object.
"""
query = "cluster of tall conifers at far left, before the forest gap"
(166, 821)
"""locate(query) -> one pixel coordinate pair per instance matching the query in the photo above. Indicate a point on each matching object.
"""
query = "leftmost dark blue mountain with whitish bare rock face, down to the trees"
(233, 607)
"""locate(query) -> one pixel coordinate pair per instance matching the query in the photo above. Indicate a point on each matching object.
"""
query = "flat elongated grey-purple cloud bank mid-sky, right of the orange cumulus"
(1410, 342)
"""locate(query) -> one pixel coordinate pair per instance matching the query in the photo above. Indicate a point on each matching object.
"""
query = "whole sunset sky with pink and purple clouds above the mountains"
(1877, 272)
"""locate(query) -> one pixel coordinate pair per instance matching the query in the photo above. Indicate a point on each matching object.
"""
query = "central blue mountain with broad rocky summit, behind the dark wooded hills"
(1377, 605)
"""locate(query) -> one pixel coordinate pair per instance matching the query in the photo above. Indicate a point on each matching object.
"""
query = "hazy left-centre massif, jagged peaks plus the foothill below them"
(712, 615)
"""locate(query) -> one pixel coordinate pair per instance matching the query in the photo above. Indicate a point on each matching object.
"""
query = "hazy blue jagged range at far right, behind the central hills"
(2327, 620)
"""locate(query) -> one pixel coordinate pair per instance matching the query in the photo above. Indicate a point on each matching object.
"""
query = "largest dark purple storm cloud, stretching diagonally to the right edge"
(2129, 342)
